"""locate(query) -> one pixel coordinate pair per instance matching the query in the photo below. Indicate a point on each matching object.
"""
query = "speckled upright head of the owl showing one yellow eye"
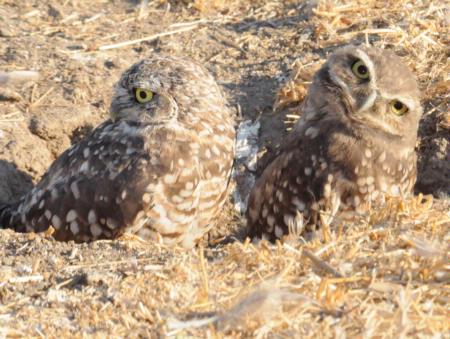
(160, 89)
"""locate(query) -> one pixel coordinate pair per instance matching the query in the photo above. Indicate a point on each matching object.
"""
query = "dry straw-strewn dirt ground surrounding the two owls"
(263, 53)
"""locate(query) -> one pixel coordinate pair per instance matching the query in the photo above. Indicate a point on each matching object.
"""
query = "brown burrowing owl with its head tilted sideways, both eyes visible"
(353, 143)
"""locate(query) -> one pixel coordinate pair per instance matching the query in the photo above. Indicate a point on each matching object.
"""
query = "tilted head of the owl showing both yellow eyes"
(371, 89)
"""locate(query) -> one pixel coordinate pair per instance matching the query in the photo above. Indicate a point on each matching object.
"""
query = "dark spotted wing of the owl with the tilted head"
(294, 190)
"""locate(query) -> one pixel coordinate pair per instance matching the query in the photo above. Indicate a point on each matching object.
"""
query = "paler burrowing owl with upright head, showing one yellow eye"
(160, 165)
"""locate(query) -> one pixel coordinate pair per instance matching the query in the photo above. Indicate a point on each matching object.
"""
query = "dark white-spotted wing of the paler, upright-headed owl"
(100, 187)
